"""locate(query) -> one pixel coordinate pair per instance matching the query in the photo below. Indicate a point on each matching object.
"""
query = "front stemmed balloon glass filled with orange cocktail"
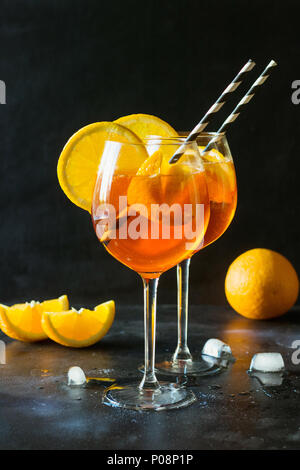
(150, 216)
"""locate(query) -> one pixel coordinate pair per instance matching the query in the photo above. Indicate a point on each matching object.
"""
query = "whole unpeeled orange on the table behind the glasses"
(261, 284)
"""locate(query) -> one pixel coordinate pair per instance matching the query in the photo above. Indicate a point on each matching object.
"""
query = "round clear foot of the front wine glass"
(169, 396)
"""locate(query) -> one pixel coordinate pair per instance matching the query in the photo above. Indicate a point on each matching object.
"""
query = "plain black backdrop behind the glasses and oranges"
(70, 63)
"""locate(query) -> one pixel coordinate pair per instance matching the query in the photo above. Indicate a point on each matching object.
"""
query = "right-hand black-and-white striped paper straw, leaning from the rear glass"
(248, 97)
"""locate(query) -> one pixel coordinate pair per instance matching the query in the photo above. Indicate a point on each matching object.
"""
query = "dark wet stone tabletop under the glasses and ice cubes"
(233, 411)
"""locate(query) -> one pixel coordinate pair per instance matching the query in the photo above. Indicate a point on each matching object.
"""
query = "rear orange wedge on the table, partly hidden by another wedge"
(23, 321)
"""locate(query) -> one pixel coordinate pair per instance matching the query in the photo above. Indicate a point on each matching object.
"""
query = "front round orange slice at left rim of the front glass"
(79, 161)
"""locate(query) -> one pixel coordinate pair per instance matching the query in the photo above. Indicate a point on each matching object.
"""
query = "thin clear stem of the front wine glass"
(149, 381)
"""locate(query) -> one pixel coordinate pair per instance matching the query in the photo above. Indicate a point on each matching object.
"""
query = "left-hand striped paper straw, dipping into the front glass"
(215, 108)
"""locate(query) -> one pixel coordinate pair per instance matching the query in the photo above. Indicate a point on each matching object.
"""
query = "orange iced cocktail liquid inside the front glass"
(157, 224)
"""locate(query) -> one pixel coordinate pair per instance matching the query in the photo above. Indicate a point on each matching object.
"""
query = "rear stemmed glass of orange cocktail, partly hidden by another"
(222, 188)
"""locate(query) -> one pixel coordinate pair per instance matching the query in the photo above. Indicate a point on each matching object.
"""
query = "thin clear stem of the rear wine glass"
(182, 352)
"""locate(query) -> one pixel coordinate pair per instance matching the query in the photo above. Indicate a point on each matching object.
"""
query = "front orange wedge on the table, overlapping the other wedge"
(78, 329)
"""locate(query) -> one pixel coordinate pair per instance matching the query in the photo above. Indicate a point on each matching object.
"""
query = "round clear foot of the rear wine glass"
(197, 367)
